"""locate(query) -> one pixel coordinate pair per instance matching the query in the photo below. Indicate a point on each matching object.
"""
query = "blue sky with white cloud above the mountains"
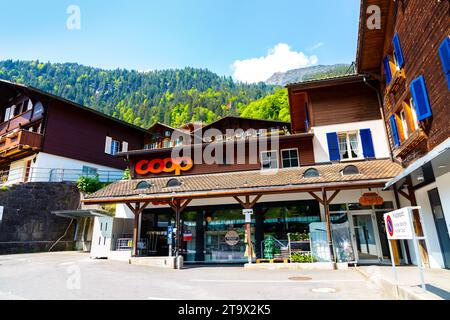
(247, 39)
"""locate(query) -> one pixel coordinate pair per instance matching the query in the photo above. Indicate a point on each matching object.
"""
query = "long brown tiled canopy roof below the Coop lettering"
(370, 170)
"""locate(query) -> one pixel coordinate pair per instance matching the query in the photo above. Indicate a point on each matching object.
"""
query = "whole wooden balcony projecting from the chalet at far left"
(19, 144)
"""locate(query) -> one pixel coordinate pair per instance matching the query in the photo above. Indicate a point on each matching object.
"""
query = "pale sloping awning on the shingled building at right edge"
(439, 157)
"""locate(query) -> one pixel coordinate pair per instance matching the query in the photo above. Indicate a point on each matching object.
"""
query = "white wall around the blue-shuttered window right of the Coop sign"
(376, 127)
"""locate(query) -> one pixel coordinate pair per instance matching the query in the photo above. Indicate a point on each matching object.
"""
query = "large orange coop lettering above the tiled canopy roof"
(155, 166)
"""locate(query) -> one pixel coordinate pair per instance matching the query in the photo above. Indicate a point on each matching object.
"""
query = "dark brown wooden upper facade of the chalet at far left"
(33, 121)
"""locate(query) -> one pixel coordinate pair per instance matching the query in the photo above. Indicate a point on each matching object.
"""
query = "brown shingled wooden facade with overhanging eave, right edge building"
(421, 27)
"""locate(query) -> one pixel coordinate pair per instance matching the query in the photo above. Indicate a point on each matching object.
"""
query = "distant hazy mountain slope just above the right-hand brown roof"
(309, 73)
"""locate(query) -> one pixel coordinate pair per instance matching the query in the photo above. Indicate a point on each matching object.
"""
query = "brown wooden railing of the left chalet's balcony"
(19, 139)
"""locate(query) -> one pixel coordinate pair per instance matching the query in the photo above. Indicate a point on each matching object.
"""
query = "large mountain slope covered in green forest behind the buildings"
(173, 97)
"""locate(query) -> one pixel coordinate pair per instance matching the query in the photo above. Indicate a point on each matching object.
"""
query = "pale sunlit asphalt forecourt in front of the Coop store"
(73, 275)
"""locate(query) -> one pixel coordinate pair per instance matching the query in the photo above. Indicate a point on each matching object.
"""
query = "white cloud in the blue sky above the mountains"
(278, 59)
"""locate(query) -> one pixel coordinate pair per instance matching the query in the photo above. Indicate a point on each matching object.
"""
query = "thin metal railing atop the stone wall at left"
(34, 174)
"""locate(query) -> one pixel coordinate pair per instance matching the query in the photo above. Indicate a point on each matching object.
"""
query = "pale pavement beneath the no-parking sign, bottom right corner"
(437, 281)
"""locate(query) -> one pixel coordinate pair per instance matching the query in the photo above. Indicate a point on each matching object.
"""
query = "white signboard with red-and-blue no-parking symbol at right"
(398, 224)
